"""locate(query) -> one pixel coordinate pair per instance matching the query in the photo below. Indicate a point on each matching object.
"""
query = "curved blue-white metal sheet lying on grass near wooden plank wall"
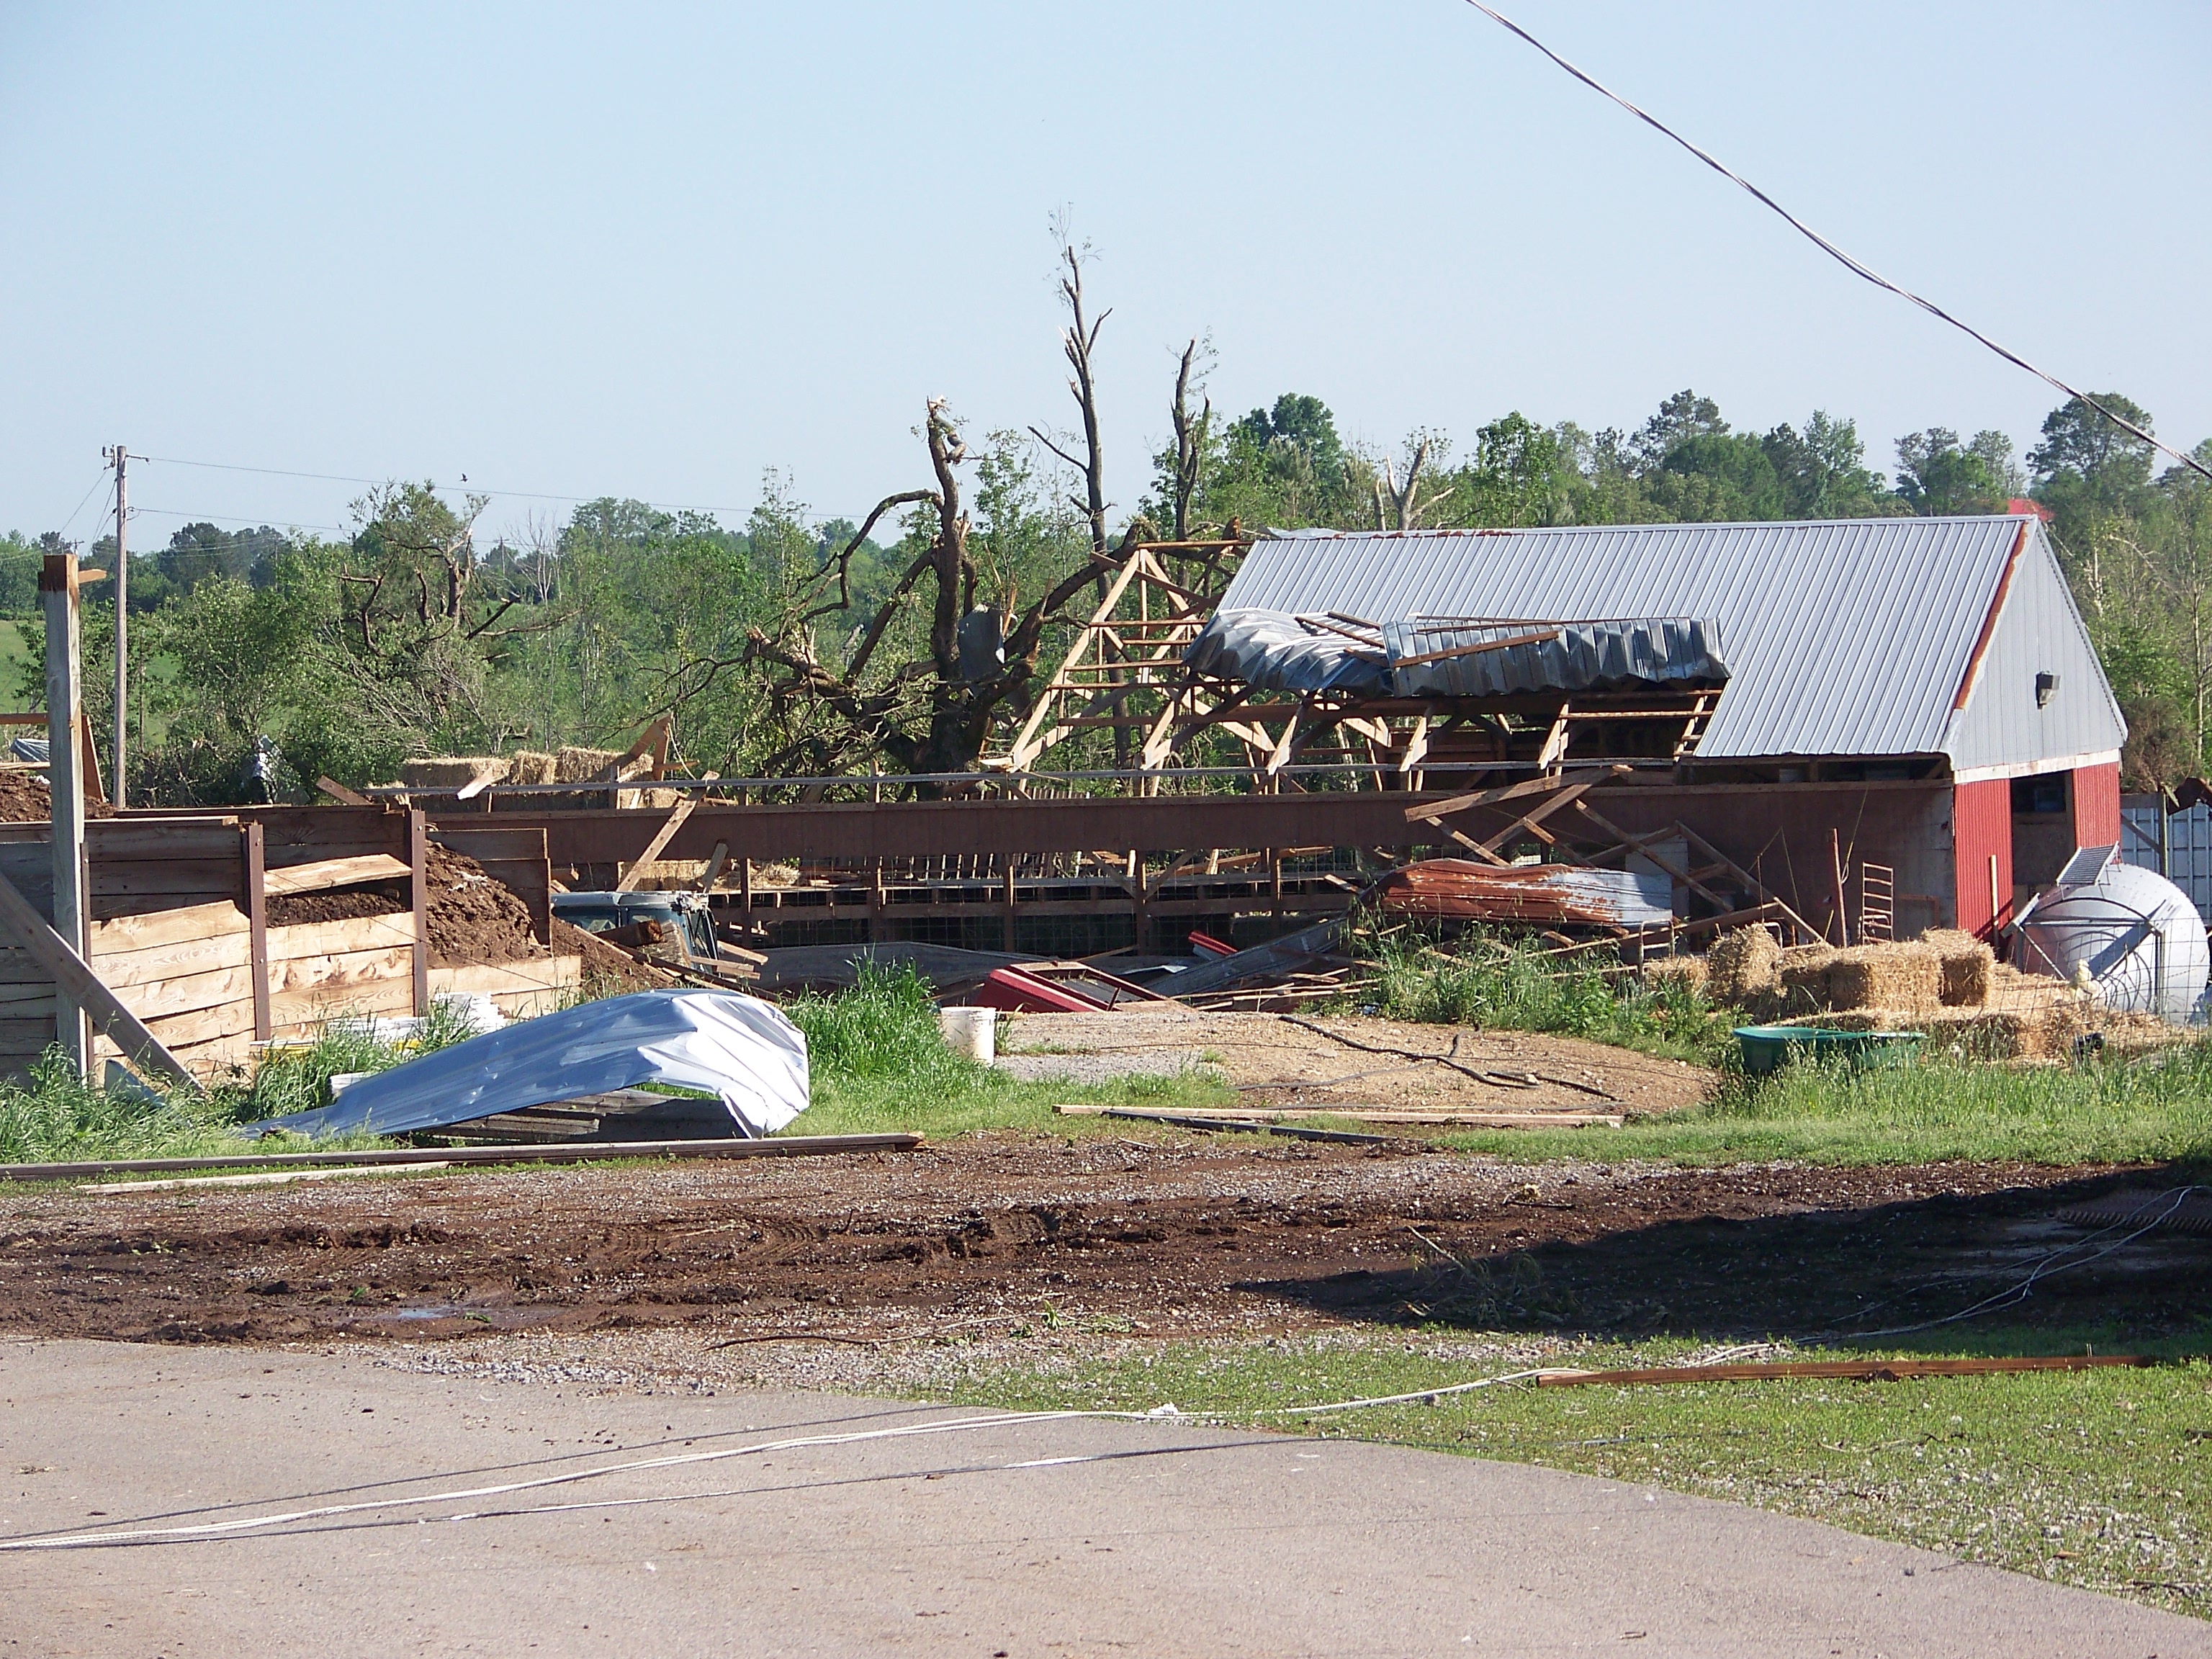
(735, 1047)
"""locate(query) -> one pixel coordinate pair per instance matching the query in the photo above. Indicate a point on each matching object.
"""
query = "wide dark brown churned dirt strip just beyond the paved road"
(1173, 1235)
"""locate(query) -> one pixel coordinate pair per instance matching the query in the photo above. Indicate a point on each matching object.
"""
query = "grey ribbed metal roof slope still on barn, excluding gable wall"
(1844, 638)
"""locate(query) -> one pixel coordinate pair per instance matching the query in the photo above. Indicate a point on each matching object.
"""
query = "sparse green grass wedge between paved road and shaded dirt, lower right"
(2089, 1479)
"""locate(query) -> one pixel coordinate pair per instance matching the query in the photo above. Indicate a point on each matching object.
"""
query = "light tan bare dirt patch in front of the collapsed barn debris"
(1277, 1061)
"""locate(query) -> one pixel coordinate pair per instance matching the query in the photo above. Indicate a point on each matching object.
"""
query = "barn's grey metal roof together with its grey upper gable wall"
(1844, 638)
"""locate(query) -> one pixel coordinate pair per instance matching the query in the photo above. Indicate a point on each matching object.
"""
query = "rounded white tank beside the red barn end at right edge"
(2136, 935)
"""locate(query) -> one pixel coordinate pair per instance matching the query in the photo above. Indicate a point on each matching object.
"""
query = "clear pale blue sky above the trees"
(660, 251)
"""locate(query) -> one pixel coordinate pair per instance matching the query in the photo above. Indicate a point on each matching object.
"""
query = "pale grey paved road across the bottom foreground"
(1030, 1538)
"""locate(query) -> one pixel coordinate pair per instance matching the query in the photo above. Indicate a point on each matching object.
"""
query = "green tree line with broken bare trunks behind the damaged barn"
(806, 647)
